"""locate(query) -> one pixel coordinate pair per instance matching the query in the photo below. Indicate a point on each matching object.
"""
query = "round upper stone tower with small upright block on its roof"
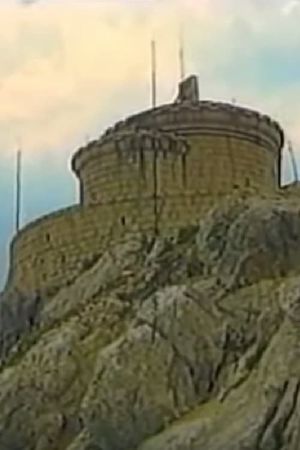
(185, 155)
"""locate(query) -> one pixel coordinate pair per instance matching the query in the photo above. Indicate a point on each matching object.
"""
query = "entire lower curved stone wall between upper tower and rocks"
(53, 250)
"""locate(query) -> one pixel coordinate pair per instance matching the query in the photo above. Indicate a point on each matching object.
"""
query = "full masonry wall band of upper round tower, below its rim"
(212, 165)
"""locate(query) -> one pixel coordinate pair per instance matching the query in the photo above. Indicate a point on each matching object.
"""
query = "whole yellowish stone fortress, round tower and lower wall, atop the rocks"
(152, 173)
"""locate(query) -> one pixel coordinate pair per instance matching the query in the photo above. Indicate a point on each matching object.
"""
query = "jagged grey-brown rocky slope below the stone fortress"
(189, 343)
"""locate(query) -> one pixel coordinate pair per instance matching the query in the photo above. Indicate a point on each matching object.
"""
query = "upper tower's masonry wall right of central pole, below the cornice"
(218, 165)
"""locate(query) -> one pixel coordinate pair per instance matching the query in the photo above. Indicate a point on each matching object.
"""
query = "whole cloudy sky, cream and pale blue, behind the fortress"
(70, 68)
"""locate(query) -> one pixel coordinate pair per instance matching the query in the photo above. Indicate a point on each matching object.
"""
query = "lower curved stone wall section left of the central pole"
(50, 252)
